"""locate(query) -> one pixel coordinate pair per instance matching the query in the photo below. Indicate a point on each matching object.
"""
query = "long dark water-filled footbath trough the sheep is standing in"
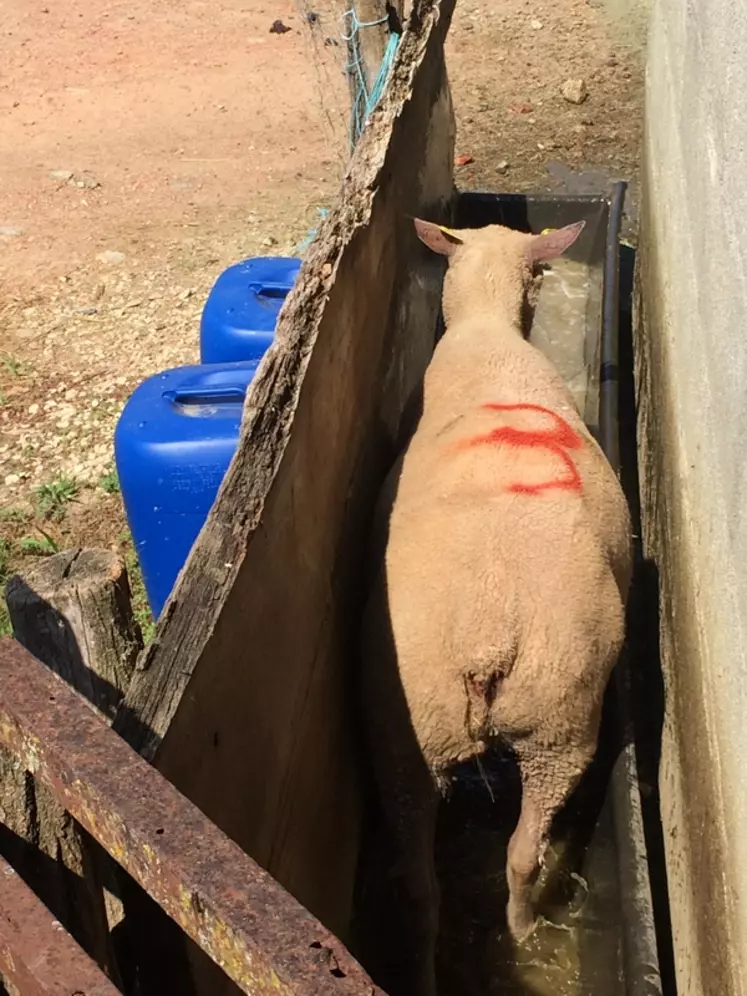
(600, 938)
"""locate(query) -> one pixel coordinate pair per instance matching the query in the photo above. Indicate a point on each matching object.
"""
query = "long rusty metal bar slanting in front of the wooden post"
(263, 939)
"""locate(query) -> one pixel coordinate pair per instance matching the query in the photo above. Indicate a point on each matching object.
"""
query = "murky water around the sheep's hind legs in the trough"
(575, 949)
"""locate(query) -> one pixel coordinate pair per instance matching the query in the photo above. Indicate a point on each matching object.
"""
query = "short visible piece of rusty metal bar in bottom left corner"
(37, 955)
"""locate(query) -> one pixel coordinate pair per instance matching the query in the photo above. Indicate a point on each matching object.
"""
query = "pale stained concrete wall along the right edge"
(692, 383)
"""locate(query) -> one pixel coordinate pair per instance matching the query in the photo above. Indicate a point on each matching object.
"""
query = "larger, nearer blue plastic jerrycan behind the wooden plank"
(173, 443)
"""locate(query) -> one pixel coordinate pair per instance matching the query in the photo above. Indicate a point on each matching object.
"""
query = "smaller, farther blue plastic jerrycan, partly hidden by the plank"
(240, 314)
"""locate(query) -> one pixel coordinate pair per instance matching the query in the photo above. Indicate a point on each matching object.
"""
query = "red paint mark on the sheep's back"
(556, 439)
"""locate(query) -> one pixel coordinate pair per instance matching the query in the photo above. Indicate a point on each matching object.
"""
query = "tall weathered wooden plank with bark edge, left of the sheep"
(244, 699)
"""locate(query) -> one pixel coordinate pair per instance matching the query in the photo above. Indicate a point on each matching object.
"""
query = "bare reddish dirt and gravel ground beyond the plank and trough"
(143, 149)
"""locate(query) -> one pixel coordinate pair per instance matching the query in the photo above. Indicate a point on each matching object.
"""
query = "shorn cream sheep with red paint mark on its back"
(501, 577)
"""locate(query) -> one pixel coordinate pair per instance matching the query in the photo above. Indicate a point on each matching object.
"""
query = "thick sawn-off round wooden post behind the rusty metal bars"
(72, 611)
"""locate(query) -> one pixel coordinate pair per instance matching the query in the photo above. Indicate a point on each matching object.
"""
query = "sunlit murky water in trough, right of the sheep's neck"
(559, 326)
